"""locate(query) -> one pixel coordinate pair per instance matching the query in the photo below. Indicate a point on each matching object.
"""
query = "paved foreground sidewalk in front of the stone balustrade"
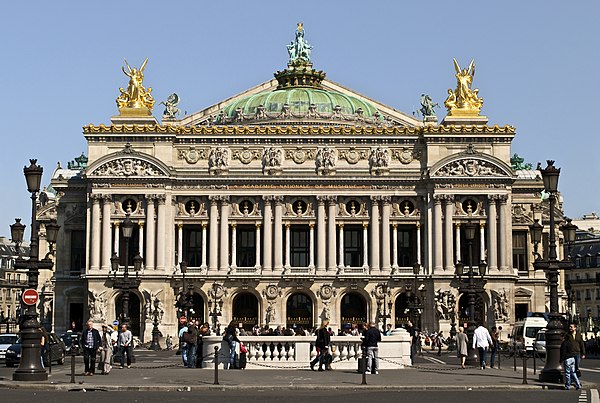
(163, 371)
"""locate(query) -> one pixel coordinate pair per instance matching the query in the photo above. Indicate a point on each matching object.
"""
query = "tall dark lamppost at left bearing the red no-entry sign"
(30, 366)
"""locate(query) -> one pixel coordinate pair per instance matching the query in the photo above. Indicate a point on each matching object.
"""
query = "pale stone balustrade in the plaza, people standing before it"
(294, 352)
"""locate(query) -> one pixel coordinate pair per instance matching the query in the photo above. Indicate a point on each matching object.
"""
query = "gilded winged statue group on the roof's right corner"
(464, 101)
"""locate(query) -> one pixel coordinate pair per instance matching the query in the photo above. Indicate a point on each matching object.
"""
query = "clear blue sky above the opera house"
(537, 68)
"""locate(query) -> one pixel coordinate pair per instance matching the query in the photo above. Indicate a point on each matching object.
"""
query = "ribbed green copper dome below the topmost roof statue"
(299, 101)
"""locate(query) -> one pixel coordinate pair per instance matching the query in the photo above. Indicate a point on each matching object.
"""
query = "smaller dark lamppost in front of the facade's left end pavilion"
(126, 284)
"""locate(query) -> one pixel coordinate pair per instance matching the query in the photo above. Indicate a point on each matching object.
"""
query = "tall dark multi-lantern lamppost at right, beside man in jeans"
(551, 266)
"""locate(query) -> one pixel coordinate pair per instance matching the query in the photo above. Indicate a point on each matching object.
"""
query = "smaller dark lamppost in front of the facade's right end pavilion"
(471, 287)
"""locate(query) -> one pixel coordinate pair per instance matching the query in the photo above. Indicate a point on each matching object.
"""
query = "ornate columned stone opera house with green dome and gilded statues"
(294, 201)
